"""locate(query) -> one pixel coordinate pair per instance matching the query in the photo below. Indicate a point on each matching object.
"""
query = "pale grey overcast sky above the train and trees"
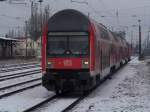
(103, 11)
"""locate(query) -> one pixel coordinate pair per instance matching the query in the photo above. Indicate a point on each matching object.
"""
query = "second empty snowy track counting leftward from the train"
(17, 75)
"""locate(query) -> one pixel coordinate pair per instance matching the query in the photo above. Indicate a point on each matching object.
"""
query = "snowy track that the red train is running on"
(72, 103)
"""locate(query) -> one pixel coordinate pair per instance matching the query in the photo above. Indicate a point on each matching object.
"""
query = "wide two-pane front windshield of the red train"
(69, 45)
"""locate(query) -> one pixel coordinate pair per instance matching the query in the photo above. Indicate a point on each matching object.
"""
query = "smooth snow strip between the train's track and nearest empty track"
(24, 100)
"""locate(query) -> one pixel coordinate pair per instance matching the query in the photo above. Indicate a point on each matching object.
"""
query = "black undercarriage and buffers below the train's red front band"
(68, 80)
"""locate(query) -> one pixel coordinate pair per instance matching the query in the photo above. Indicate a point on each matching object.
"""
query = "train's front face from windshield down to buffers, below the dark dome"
(67, 61)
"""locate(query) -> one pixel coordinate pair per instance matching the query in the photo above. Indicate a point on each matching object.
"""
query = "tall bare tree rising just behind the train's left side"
(34, 27)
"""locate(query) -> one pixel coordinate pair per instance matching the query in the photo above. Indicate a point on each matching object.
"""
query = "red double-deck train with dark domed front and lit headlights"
(78, 52)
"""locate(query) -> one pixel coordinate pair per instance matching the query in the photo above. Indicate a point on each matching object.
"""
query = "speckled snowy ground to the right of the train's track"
(127, 91)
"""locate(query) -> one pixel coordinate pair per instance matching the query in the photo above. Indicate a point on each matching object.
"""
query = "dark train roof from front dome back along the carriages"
(70, 20)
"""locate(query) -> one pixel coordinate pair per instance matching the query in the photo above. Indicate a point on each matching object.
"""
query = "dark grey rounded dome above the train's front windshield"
(68, 20)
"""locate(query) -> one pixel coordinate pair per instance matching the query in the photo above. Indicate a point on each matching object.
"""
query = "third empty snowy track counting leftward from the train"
(18, 68)
